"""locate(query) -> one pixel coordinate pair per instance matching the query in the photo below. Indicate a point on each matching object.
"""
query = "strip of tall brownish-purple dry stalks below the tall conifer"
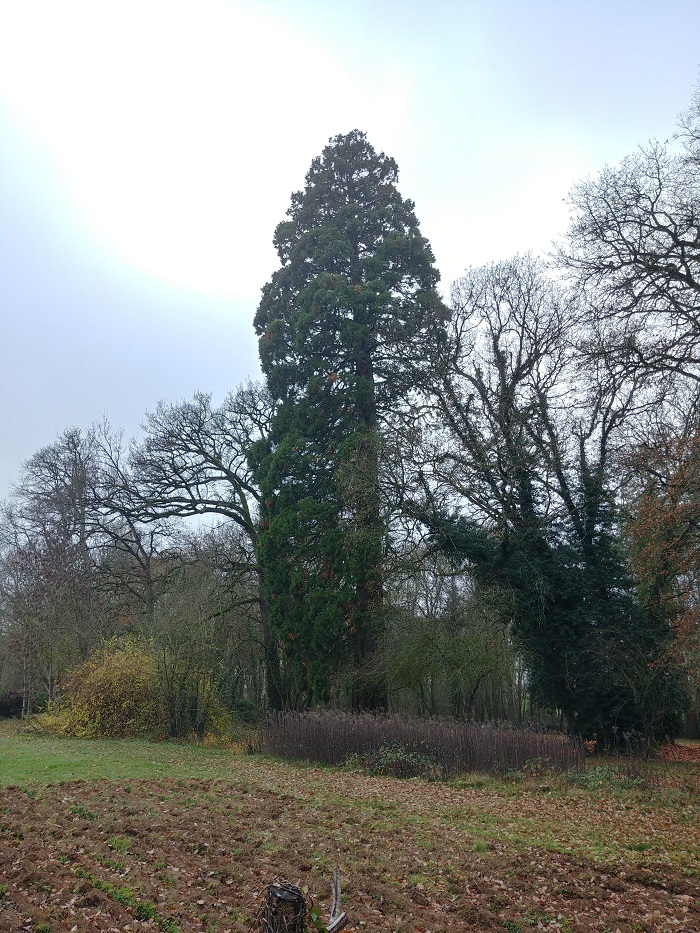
(453, 747)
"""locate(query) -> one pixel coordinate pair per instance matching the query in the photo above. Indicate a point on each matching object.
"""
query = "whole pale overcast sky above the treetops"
(148, 149)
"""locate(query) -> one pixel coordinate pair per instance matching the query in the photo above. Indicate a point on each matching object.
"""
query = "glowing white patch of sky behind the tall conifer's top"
(178, 130)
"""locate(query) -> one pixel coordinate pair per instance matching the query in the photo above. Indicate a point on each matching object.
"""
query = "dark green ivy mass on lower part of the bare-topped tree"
(591, 650)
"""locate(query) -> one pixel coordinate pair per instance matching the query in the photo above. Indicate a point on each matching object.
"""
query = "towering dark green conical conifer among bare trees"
(345, 326)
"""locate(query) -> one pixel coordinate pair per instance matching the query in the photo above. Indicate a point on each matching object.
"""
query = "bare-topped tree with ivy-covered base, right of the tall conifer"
(530, 440)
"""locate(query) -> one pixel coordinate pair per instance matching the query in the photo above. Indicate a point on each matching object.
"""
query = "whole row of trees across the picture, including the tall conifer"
(486, 507)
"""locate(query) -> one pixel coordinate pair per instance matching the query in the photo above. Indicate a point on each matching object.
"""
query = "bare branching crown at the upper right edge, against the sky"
(634, 249)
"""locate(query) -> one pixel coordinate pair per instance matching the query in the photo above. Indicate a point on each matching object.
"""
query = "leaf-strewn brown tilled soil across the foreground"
(194, 855)
